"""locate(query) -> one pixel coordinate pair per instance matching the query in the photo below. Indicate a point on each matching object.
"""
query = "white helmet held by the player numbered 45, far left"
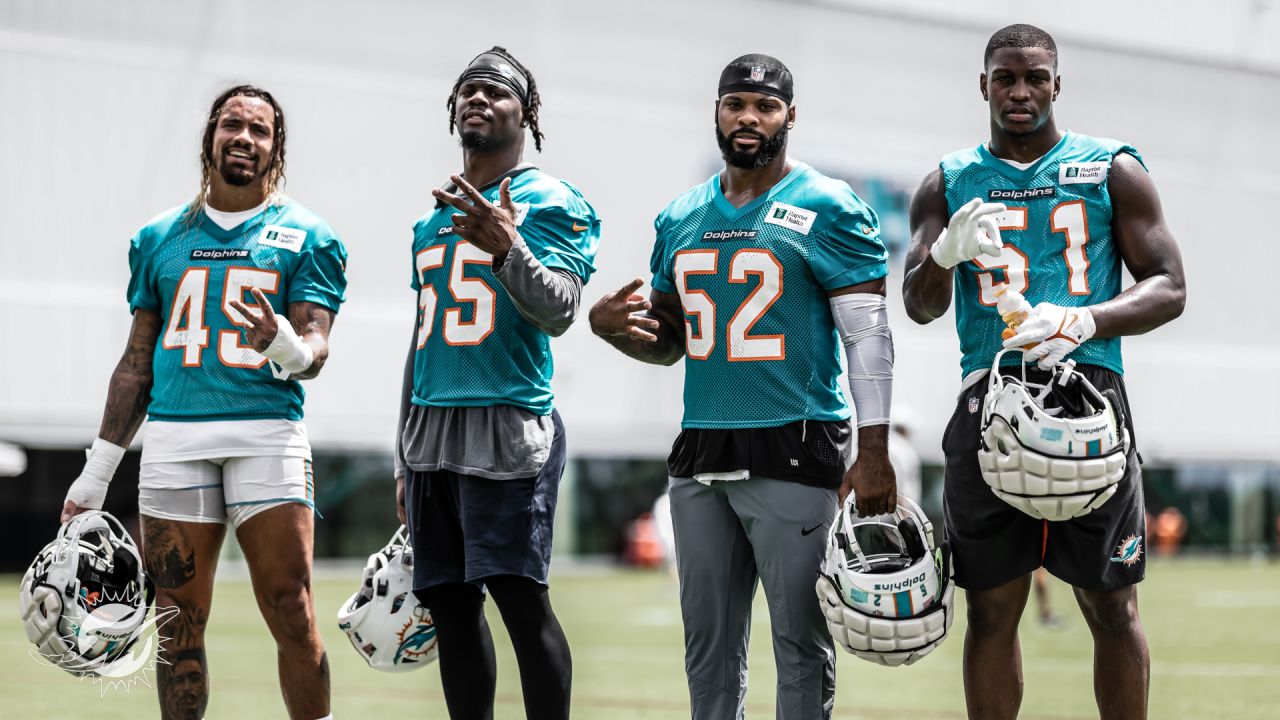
(85, 599)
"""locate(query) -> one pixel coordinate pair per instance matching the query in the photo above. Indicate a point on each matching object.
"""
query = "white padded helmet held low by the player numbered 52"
(885, 589)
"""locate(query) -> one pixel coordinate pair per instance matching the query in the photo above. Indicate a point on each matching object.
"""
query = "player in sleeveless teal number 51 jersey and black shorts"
(1057, 216)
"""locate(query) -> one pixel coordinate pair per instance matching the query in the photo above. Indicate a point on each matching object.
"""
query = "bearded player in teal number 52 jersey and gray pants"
(760, 275)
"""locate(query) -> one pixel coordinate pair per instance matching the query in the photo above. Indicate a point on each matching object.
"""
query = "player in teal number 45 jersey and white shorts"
(232, 295)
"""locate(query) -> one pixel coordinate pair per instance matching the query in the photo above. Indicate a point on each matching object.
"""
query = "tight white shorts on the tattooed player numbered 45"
(222, 490)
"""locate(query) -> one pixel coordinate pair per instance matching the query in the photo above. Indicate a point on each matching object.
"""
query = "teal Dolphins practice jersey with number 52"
(761, 345)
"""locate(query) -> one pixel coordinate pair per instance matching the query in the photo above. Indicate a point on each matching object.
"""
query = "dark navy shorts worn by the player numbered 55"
(465, 528)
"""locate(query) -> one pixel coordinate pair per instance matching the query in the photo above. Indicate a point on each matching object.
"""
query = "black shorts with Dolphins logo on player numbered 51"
(994, 543)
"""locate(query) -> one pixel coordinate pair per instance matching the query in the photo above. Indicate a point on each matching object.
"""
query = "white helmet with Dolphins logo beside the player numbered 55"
(386, 623)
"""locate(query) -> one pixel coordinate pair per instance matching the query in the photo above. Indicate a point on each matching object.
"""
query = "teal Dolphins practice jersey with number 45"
(189, 271)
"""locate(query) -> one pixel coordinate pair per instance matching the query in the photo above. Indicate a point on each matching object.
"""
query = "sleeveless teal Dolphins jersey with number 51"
(1058, 241)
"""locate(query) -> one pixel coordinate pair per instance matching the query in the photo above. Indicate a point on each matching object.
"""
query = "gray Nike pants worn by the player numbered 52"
(730, 535)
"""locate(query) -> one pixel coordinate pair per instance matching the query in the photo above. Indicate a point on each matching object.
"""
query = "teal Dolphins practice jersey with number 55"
(474, 348)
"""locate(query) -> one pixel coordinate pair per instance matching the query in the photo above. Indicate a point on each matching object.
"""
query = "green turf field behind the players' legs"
(1214, 631)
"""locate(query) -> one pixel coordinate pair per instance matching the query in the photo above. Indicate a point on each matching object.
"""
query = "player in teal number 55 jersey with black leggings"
(499, 267)
